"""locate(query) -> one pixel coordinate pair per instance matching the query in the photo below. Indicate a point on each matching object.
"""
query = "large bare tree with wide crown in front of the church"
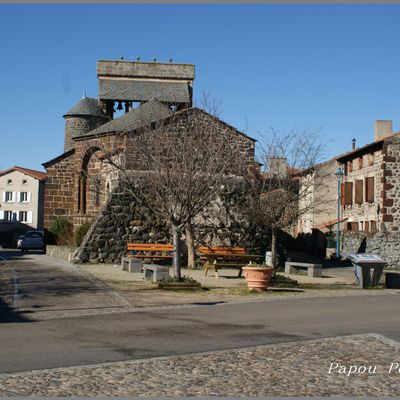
(177, 165)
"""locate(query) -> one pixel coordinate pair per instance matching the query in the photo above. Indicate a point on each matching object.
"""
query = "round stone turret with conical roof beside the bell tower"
(85, 116)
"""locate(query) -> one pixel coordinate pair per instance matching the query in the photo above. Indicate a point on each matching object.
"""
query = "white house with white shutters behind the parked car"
(22, 197)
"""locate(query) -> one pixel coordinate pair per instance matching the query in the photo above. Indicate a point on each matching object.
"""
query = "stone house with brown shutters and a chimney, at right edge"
(370, 195)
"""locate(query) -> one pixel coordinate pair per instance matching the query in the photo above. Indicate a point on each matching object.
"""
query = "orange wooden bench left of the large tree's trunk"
(152, 251)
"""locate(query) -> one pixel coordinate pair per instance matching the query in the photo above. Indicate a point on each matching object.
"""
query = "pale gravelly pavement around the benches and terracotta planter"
(227, 288)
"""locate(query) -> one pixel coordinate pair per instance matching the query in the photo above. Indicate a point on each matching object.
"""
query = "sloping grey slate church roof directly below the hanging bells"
(148, 112)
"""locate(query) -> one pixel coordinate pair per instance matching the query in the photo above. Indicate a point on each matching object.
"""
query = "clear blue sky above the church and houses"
(328, 67)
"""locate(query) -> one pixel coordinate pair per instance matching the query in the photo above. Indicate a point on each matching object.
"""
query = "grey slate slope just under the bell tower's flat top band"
(135, 90)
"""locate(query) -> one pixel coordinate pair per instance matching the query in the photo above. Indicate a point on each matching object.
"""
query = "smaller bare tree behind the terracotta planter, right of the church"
(285, 188)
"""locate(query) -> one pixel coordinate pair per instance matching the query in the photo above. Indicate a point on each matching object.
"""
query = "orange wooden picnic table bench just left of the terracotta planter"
(218, 257)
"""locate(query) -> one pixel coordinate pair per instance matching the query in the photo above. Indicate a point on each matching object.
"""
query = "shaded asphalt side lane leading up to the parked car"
(45, 284)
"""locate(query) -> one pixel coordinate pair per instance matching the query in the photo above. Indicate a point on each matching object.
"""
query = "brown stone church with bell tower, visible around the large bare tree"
(131, 96)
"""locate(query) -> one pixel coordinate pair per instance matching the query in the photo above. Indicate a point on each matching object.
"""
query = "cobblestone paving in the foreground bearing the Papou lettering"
(290, 369)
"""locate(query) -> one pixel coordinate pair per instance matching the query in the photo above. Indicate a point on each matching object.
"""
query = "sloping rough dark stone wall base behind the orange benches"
(121, 221)
